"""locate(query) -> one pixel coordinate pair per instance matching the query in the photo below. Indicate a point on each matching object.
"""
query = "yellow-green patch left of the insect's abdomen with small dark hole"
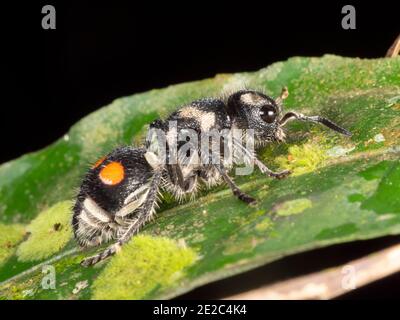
(50, 232)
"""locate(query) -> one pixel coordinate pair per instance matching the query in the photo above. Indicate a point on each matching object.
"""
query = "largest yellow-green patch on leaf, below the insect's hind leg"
(145, 264)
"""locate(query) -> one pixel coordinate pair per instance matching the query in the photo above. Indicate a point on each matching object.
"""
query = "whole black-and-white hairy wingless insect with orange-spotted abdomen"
(119, 194)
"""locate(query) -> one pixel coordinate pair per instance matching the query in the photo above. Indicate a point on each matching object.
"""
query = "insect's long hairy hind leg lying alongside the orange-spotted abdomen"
(145, 212)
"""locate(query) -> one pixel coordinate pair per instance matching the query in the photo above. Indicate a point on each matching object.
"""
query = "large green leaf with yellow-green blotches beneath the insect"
(343, 189)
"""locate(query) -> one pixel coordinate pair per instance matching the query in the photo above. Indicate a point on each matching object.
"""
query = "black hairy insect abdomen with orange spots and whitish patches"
(111, 193)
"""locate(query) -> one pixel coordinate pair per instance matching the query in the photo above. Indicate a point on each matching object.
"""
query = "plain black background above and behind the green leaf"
(101, 51)
